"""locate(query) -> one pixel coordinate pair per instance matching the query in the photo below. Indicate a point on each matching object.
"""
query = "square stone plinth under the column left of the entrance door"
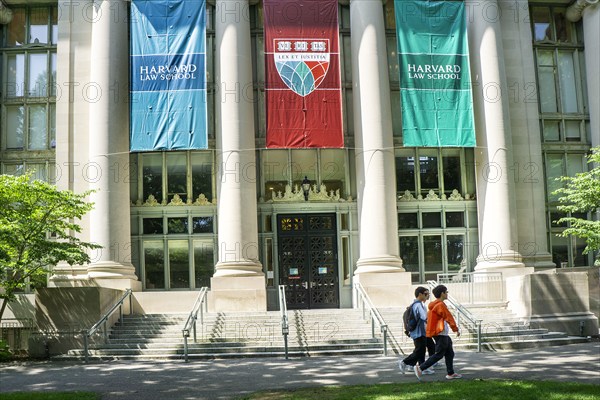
(237, 294)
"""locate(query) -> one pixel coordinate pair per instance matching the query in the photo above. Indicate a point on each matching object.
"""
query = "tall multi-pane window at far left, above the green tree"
(28, 100)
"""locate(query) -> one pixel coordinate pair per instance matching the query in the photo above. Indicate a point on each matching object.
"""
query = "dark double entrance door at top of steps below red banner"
(308, 267)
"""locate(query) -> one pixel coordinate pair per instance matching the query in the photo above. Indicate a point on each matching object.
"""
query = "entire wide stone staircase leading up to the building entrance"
(312, 333)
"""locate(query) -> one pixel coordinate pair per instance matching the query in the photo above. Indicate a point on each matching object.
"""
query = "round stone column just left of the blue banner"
(109, 147)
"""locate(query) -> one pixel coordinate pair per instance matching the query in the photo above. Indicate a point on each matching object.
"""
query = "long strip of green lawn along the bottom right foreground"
(455, 390)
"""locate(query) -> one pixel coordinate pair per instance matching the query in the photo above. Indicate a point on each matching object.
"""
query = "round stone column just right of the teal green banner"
(493, 155)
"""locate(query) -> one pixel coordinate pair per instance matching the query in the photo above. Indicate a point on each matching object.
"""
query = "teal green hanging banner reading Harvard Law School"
(435, 79)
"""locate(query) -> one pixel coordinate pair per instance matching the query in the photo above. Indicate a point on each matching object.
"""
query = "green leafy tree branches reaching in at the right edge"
(581, 193)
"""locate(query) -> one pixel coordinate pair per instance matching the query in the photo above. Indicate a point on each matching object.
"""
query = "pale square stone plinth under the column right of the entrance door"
(387, 289)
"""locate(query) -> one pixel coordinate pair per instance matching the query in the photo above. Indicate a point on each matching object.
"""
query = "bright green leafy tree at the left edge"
(37, 228)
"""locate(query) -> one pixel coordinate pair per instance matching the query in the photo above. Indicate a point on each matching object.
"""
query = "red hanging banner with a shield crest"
(302, 62)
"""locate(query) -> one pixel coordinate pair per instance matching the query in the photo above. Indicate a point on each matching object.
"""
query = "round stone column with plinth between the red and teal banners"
(379, 267)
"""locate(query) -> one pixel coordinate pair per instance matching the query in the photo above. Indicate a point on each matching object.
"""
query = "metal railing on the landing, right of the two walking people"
(474, 287)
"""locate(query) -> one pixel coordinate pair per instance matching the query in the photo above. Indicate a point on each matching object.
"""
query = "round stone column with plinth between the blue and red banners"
(238, 283)
